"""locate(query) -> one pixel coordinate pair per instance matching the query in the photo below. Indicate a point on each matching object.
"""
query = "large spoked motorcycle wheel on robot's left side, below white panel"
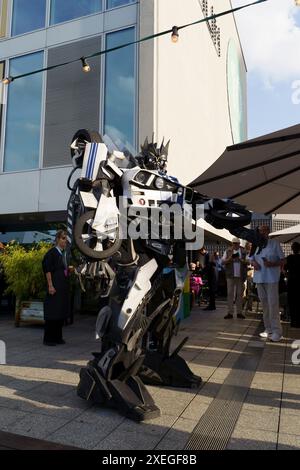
(93, 244)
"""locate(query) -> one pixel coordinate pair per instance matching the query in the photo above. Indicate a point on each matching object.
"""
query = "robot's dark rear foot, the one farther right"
(172, 371)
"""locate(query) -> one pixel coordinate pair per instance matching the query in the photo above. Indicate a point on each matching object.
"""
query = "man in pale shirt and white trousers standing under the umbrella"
(267, 264)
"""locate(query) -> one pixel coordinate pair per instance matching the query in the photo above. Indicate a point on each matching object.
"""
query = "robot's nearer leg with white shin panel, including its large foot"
(111, 377)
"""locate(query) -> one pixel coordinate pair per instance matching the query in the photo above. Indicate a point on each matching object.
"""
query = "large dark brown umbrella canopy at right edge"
(262, 173)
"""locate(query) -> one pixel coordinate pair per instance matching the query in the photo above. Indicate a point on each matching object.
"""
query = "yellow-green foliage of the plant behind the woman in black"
(23, 270)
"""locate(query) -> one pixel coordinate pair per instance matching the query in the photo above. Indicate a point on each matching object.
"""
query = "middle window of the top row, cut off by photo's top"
(65, 10)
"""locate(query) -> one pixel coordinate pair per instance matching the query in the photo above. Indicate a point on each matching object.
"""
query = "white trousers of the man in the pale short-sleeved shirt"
(269, 296)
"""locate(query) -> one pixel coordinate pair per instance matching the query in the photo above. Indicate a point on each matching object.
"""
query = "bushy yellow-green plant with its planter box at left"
(25, 279)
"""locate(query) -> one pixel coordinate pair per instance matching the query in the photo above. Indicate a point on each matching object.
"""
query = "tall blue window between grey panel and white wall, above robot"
(120, 89)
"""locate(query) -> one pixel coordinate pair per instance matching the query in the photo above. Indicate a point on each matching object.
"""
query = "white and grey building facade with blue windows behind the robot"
(192, 92)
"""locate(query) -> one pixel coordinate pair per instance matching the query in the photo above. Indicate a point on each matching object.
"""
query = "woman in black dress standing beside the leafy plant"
(56, 305)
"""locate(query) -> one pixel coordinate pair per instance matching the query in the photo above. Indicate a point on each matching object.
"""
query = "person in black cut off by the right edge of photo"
(293, 286)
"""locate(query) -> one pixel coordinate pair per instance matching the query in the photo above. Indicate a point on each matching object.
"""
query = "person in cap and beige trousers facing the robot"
(235, 263)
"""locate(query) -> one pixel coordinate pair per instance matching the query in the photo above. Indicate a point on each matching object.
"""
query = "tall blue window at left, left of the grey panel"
(23, 121)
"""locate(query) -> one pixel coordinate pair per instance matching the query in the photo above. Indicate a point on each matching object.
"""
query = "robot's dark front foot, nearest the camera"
(130, 397)
